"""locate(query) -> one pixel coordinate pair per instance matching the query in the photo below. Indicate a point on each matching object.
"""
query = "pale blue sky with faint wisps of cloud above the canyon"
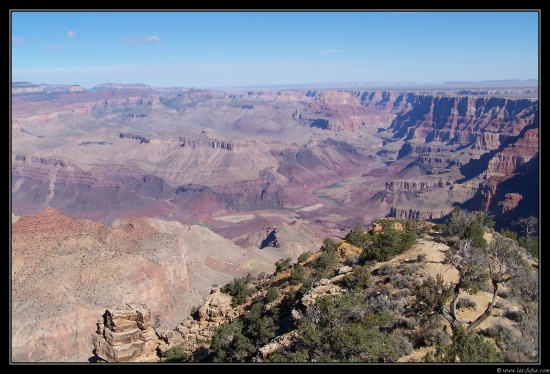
(231, 48)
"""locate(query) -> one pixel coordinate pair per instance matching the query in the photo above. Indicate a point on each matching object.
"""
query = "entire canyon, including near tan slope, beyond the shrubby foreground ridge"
(137, 194)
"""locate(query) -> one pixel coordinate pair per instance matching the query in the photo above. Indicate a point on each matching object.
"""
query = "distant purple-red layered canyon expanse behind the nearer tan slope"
(257, 150)
